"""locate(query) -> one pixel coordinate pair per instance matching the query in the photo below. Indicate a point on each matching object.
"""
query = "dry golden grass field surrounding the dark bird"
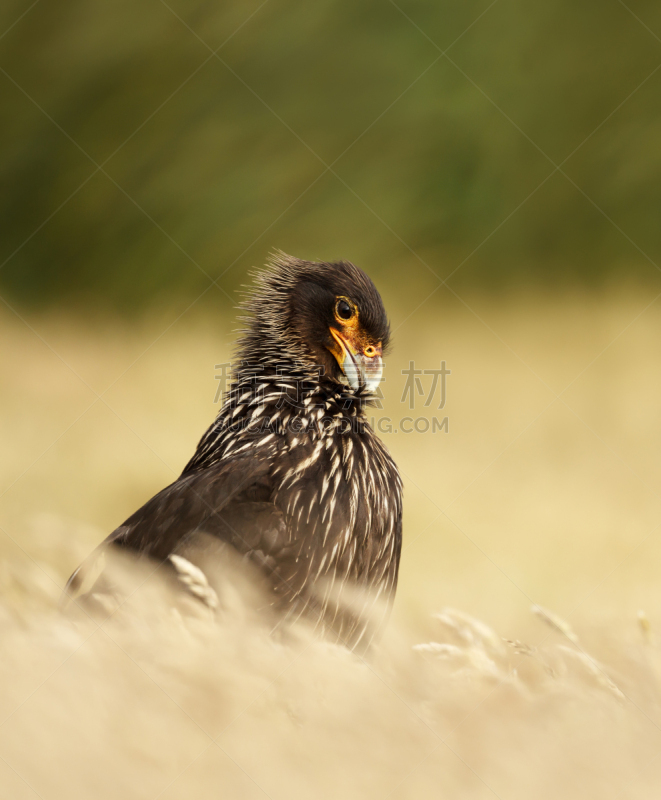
(530, 500)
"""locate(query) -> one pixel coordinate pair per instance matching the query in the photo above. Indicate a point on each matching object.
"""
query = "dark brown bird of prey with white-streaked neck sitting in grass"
(290, 476)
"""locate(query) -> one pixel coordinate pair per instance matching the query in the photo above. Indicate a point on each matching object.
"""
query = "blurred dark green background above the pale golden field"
(137, 165)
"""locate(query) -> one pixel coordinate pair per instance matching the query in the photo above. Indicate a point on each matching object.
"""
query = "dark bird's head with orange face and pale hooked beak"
(317, 314)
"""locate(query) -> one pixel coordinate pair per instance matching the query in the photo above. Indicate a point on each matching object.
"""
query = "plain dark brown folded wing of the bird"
(200, 501)
